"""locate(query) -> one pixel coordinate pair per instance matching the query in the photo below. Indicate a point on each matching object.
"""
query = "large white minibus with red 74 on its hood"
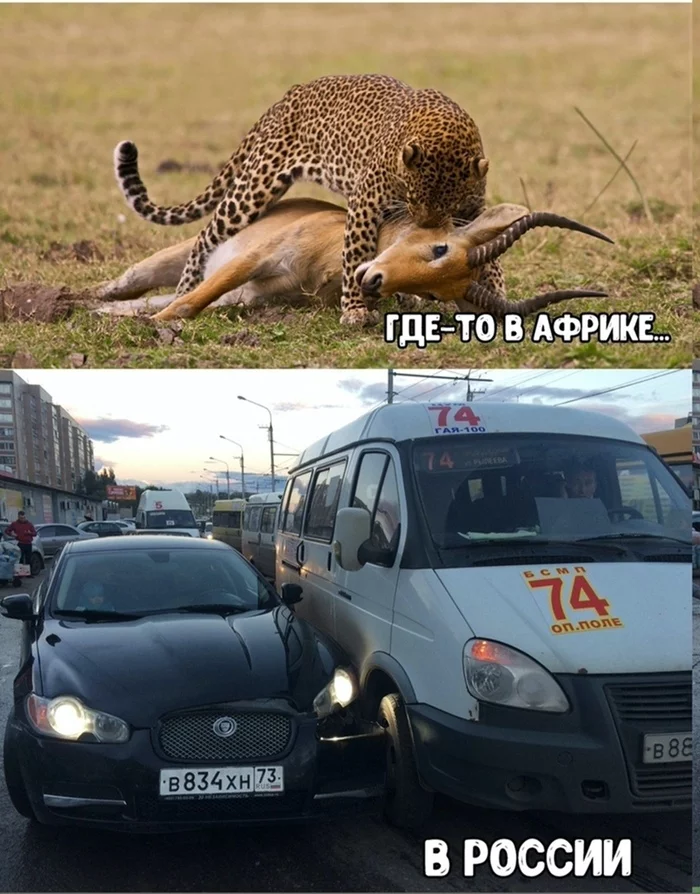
(512, 583)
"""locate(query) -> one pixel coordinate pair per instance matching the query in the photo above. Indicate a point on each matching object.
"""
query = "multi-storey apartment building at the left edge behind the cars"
(39, 441)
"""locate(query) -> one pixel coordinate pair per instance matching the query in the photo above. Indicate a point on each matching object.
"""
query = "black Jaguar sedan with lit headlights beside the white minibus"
(163, 683)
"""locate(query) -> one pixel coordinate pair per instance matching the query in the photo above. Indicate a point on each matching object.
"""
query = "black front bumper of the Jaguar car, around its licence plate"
(117, 786)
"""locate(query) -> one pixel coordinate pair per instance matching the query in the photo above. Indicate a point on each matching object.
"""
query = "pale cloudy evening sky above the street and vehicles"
(161, 426)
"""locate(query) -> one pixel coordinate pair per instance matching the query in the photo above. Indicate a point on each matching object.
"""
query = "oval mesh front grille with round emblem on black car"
(259, 735)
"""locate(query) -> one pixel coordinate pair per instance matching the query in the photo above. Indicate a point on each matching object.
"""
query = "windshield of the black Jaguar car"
(139, 582)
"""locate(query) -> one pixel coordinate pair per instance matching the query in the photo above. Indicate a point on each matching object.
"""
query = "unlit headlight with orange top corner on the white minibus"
(503, 676)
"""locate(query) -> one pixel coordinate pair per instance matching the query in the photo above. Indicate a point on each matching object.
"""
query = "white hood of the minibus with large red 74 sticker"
(645, 628)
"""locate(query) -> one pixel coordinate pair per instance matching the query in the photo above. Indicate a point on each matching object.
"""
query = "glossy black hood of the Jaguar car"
(139, 670)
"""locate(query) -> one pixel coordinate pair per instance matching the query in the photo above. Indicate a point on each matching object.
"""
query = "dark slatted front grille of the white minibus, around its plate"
(661, 705)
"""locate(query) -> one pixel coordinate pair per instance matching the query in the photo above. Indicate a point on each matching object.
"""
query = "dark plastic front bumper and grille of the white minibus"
(587, 762)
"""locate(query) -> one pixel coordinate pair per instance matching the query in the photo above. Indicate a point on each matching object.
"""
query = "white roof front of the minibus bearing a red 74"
(407, 421)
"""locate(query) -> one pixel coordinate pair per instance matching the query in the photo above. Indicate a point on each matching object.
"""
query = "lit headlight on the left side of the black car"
(66, 717)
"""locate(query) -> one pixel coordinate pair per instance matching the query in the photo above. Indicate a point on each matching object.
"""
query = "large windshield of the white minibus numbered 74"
(508, 489)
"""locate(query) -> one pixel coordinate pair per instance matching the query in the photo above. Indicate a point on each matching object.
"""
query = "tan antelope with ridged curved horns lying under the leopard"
(295, 252)
